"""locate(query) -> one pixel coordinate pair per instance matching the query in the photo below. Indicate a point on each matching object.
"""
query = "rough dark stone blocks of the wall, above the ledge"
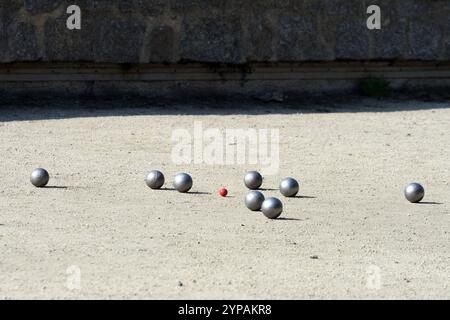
(223, 31)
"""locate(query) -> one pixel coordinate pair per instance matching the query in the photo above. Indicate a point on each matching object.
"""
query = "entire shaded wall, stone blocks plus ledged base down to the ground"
(168, 47)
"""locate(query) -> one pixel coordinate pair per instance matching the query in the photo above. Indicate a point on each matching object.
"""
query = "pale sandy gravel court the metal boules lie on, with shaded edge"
(352, 235)
